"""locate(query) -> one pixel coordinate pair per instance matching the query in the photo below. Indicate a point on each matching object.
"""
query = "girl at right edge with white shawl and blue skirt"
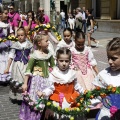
(110, 77)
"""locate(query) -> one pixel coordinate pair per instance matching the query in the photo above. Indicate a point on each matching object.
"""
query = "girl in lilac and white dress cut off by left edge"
(5, 30)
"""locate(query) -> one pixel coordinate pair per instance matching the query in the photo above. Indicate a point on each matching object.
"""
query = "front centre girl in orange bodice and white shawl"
(62, 82)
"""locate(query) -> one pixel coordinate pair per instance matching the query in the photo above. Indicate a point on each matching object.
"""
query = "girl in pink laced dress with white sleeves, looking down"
(83, 62)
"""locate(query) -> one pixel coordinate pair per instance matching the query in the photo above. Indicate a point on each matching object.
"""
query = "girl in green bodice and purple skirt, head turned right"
(36, 75)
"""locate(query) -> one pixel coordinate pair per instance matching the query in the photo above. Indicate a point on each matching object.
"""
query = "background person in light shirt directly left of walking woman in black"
(84, 21)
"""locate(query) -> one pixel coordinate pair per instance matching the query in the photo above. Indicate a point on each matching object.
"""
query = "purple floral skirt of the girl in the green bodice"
(36, 83)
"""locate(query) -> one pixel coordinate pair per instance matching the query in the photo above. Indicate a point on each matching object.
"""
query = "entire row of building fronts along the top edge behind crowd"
(103, 9)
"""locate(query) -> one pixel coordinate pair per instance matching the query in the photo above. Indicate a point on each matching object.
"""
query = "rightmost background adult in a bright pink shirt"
(44, 18)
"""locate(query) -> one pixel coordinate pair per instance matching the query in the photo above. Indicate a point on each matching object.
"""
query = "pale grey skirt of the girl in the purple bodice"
(17, 74)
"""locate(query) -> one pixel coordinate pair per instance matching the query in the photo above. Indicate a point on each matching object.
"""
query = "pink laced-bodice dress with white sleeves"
(83, 62)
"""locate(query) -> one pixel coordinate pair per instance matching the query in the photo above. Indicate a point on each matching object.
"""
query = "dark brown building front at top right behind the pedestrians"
(103, 9)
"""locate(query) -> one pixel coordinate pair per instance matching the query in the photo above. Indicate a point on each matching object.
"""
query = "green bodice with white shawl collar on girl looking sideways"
(39, 65)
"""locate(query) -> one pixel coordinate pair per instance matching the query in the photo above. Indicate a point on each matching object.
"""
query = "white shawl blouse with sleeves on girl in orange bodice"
(65, 77)
